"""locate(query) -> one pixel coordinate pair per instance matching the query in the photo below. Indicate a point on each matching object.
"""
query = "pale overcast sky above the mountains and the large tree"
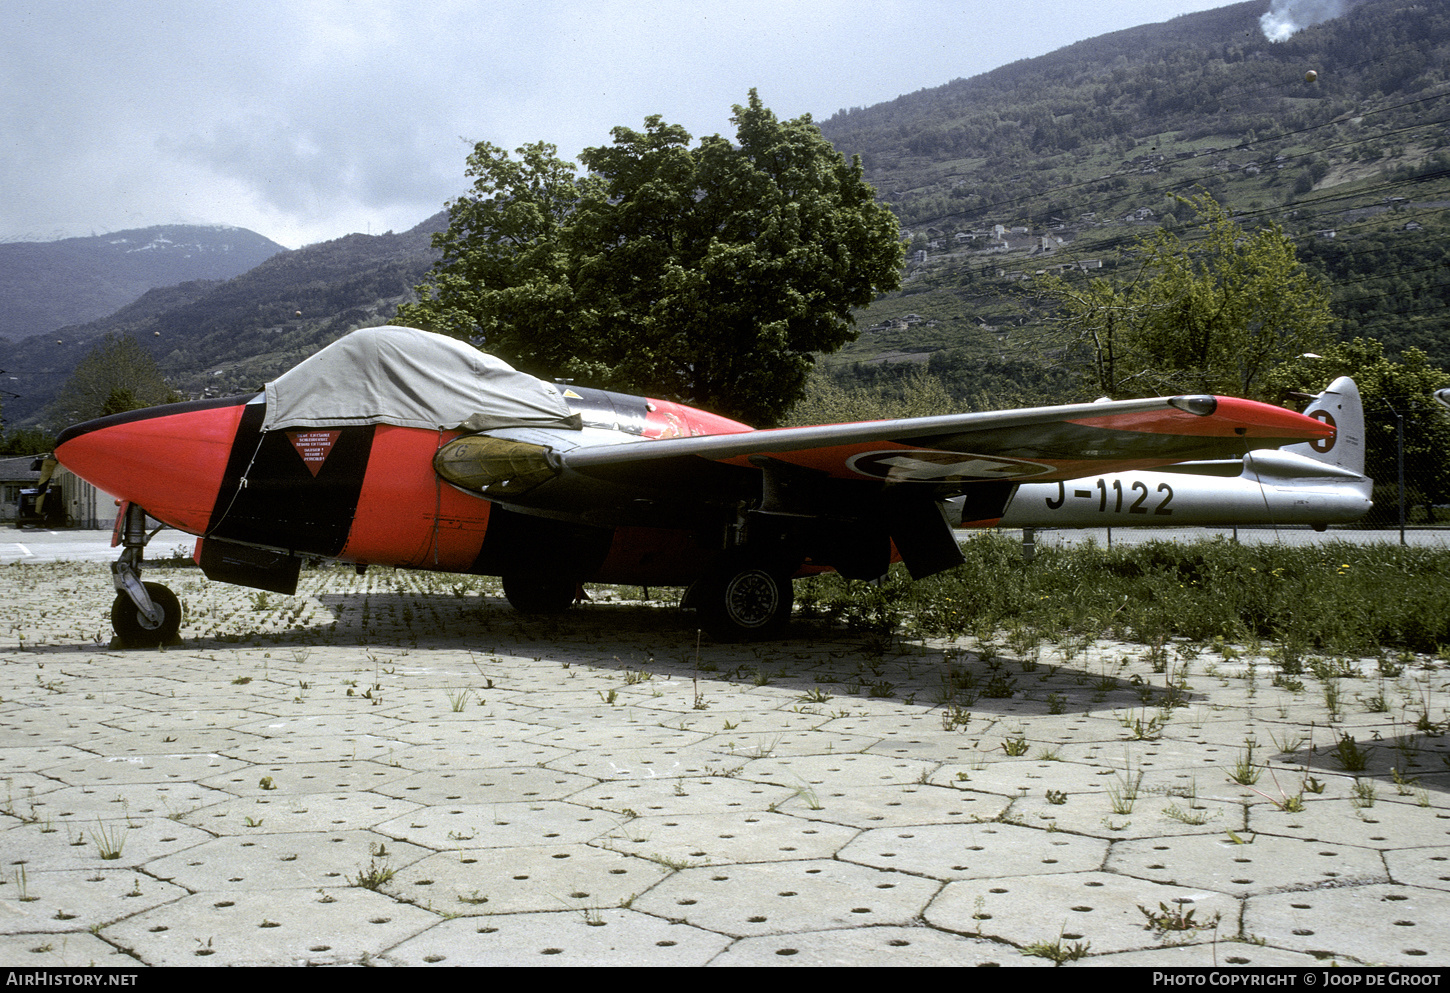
(312, 120)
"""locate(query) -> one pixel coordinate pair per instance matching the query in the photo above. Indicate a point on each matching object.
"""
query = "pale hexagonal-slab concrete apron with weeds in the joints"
(397, 769)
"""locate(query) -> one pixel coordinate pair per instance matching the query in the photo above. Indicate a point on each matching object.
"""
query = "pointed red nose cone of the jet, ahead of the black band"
(170, 460)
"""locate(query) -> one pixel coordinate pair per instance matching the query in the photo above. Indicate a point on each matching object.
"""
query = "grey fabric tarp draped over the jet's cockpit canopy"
(411, 379)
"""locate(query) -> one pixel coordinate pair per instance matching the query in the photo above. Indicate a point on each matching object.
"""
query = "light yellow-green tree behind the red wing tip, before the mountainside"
(1216, 315)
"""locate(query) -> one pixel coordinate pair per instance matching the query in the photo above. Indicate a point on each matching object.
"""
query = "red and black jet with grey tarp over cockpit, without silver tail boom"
(399, 447)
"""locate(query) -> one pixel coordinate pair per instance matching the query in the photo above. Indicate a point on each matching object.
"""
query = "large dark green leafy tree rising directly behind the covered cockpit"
(705, 275)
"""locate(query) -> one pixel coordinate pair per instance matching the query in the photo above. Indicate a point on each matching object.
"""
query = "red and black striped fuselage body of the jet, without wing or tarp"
(369, 495)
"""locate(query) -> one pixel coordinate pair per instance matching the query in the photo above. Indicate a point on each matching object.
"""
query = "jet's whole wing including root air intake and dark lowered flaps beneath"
(845, 495)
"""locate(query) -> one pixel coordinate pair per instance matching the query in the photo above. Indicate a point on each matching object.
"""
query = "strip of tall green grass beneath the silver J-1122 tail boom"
(1332, 599)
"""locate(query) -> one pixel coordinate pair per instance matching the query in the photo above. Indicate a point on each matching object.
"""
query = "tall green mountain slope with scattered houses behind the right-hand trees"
(1069, 159)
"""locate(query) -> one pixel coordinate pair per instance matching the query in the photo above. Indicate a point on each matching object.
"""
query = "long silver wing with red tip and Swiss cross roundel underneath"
(1043, 444)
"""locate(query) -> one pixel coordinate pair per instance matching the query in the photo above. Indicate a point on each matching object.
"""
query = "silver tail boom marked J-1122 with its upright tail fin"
(1314, 483)
